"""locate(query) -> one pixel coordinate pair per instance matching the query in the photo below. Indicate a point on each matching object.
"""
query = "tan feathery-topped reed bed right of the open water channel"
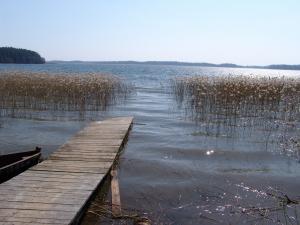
(231, 97)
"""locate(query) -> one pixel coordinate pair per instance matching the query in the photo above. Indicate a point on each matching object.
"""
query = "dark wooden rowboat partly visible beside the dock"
(15, 163)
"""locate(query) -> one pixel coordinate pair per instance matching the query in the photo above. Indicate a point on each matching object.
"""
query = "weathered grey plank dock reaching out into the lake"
(57, 190)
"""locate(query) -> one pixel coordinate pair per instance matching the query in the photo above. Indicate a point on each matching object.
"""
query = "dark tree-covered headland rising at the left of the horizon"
(19, 56)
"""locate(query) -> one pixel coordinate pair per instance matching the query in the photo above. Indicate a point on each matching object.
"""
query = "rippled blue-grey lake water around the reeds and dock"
(172, 170)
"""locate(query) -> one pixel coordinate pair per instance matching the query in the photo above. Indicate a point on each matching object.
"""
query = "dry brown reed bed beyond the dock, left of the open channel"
(21, 92)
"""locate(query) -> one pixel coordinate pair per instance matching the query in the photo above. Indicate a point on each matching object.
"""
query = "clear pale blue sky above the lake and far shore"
(243, 32)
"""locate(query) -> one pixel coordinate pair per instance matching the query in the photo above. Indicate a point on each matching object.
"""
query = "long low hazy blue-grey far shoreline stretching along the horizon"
(176, 63)
